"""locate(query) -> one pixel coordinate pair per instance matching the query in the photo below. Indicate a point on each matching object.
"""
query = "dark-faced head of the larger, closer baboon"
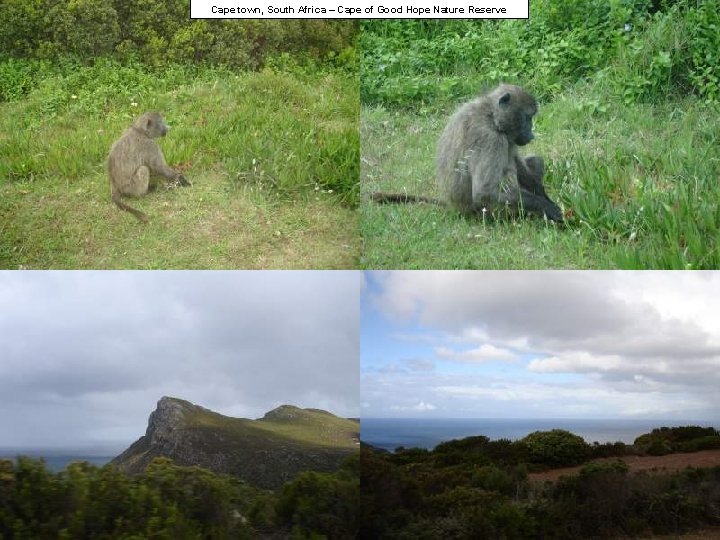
(513, 111)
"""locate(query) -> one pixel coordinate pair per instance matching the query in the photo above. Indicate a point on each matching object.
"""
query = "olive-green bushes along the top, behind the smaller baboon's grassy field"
(161, 32)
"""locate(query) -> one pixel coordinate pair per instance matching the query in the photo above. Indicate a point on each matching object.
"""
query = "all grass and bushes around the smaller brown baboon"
(264, 117)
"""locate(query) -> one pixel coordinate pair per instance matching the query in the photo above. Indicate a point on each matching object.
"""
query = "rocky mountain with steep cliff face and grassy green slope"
(266, 452)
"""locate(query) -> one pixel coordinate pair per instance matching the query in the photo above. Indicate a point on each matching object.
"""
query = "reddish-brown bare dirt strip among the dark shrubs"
(672, 462)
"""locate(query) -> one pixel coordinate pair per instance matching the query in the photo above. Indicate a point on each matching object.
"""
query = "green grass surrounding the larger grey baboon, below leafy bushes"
(639, 182)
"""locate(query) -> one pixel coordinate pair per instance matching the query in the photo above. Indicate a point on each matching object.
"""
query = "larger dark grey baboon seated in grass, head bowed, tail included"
(478, 150)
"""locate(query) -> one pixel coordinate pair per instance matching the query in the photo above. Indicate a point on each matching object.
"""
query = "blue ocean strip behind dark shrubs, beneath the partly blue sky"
(390, 433)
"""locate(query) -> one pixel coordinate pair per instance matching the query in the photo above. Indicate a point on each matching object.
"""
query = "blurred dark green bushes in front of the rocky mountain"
(169, 502)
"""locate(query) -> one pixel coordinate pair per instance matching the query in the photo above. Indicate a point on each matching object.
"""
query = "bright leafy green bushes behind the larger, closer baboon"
(639, 50)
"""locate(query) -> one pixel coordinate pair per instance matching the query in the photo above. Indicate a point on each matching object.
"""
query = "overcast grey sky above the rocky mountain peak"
(84, 356)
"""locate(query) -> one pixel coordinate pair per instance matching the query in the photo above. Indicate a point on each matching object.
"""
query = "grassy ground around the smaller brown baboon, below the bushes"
(273, 158)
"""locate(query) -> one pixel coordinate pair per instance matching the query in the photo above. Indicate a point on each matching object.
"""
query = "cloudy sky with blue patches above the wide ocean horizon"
(541, 345)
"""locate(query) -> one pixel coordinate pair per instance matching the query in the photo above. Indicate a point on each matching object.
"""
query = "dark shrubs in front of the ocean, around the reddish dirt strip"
(478, 488)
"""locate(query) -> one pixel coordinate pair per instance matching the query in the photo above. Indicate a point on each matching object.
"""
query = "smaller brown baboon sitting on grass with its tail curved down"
(134, 157)
